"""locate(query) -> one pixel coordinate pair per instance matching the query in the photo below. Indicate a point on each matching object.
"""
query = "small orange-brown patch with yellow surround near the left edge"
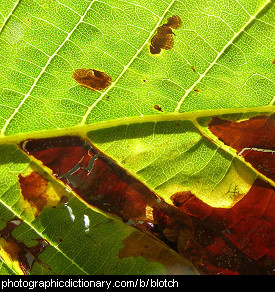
(33, 189)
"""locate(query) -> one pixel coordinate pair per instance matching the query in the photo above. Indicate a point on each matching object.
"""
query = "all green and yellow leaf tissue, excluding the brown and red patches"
(153, 120)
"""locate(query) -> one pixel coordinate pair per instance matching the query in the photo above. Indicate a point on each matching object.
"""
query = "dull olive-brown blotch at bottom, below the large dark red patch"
(139, 244)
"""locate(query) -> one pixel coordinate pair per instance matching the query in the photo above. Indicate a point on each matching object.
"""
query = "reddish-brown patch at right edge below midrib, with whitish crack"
(254, 139)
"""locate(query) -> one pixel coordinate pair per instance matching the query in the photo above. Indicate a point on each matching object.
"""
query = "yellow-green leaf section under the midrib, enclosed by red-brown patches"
(176, 156)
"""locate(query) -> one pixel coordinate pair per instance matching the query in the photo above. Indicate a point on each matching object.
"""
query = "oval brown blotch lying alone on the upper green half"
(92, 79)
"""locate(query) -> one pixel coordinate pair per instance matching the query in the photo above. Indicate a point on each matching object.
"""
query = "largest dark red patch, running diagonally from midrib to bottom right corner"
(216, 240)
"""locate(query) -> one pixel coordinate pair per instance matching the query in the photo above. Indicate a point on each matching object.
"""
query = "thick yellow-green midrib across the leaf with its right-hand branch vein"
(81, 130)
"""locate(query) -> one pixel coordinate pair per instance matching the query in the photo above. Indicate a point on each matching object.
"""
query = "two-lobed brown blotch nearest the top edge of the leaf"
(164, 37)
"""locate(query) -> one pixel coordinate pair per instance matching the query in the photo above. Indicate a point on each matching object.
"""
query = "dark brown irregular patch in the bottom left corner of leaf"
(17, 250)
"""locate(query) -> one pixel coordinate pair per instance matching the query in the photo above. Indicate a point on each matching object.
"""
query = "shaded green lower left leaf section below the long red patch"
(63, 226)
